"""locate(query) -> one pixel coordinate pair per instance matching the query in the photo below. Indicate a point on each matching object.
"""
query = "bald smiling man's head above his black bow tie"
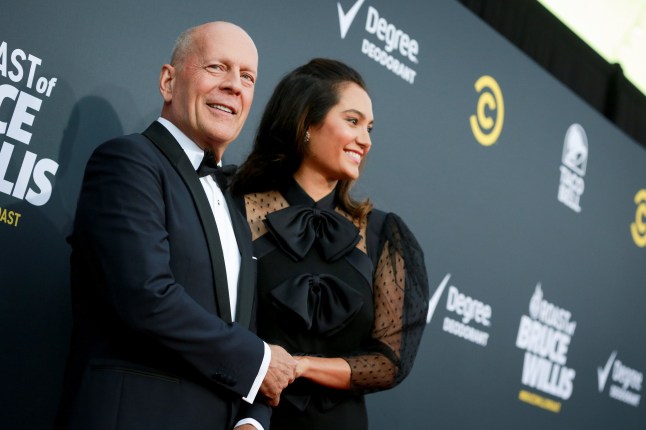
(209, 94)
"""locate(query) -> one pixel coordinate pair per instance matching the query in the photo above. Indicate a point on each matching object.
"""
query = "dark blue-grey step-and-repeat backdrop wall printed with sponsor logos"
(530, 206)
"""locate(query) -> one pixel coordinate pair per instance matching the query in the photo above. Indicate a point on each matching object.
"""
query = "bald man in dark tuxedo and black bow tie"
(163, 279)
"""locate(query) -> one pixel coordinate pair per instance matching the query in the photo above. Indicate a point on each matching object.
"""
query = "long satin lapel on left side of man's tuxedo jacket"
(165, 141)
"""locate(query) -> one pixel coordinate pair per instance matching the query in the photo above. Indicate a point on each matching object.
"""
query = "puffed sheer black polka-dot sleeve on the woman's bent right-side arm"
(400, 291)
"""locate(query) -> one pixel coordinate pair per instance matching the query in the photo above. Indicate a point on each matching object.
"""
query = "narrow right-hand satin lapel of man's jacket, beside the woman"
(247, 279)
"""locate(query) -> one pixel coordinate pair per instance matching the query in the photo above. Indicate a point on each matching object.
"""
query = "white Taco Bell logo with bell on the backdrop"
(574, 163)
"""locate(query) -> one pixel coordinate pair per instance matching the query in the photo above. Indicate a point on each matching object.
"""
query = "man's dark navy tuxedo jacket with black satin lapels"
(153, 345)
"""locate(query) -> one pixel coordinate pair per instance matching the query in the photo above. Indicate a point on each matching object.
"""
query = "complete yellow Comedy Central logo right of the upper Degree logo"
(486, 127)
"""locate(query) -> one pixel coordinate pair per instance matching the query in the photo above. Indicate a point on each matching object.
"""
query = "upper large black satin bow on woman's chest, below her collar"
(296, 228)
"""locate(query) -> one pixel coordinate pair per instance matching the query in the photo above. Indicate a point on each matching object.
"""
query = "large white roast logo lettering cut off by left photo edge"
(23, 87)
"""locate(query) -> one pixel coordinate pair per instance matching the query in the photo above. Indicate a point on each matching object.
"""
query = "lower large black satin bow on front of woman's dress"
(324, 302)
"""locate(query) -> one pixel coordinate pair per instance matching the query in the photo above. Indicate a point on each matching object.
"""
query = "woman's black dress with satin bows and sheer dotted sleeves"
(333, 286)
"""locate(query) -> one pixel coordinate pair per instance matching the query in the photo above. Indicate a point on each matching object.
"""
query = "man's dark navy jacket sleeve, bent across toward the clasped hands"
(130, 199)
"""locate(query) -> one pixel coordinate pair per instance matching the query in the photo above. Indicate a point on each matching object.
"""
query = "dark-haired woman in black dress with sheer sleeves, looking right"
(341, 285)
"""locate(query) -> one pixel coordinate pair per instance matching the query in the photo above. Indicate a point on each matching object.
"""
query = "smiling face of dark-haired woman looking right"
(339, 144)
